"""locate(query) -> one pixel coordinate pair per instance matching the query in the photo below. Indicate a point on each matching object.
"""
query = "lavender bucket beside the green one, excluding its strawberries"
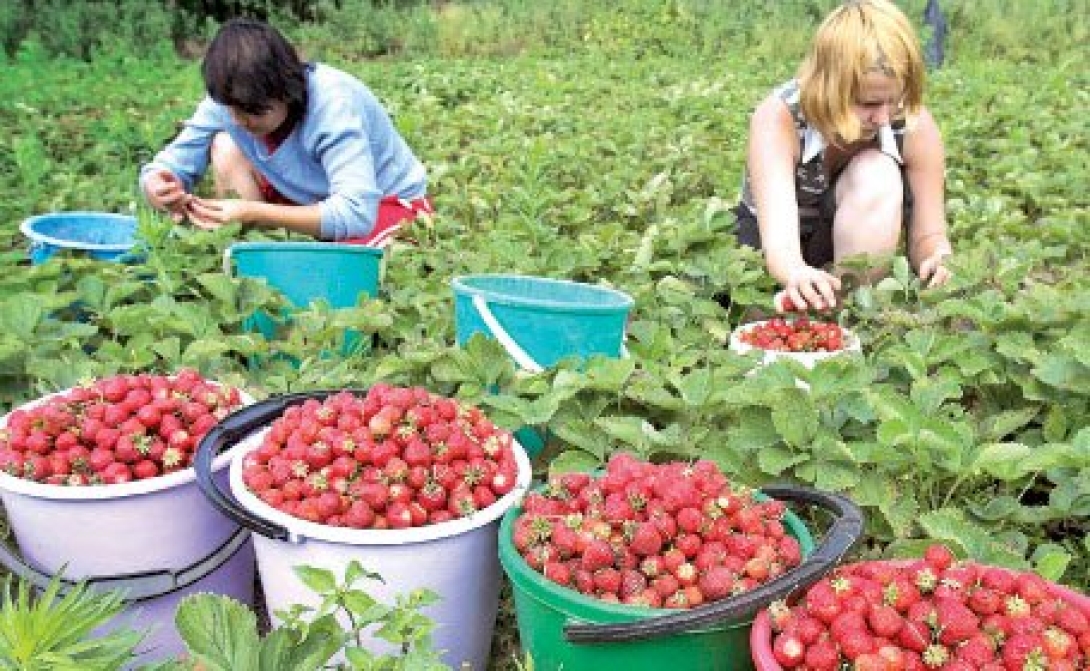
(457, 560)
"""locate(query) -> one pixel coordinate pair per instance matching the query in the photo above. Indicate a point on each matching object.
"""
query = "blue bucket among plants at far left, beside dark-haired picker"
(102, 236)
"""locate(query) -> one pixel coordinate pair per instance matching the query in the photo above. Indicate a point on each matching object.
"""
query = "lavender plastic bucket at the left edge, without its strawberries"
(158, 540)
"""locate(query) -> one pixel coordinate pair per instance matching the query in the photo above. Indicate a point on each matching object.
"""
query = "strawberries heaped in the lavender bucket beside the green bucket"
(396, 458)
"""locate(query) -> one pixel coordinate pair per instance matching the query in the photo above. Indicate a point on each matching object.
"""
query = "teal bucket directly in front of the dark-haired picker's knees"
(308, 272)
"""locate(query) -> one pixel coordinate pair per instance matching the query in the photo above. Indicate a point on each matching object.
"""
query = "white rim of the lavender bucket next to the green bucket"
(301, 530)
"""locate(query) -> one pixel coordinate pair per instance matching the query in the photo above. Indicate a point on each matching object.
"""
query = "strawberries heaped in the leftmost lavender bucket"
(117, 430)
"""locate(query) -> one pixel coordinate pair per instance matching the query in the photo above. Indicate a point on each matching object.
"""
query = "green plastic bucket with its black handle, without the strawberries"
(563, 629)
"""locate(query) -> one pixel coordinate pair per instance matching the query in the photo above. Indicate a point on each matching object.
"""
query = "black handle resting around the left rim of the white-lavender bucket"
(228, 433)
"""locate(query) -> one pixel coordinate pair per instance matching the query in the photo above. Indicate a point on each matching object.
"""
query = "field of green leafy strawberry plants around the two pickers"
(608, 149)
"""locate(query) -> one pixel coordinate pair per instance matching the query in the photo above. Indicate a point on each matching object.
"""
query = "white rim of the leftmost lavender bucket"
(100, 493)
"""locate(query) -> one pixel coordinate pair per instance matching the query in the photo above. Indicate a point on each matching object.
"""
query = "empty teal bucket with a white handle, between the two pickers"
(540, 322)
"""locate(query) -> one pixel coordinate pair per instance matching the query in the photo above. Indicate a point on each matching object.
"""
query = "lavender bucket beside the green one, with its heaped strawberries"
(409, 484)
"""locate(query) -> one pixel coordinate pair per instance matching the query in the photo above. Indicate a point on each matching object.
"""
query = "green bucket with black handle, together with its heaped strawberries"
(659, 566)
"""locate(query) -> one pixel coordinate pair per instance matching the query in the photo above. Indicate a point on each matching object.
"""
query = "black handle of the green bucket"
(845, 532)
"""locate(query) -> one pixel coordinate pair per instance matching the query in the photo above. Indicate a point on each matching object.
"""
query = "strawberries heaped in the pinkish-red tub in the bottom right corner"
(931, 614)
